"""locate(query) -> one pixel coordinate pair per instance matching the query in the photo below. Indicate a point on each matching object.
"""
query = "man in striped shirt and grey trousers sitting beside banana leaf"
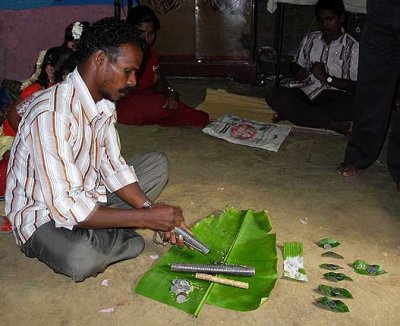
(73, 201)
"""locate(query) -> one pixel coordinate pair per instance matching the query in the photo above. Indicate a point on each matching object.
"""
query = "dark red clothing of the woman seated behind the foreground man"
(144, 106)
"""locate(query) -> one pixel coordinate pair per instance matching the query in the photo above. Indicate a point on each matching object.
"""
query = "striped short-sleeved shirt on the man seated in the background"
(340, 58)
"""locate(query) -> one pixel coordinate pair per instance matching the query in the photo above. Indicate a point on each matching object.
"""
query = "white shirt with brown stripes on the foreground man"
(64, 156)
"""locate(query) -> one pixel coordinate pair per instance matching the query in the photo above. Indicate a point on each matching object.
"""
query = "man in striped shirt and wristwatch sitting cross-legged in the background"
(326, 65)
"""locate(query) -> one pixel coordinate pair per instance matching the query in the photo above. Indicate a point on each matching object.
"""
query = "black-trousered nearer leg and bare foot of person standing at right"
(378, 73)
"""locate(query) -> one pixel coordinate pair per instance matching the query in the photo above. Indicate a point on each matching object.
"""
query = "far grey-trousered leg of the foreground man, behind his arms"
(152, 171)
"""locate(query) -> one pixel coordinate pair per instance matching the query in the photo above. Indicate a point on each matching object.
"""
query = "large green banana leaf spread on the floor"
(237, 237)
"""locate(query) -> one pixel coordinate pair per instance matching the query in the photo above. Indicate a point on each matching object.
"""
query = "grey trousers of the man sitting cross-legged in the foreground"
(80, 253)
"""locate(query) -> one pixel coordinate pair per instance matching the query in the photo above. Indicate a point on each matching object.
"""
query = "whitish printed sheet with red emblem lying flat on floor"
(236, 130)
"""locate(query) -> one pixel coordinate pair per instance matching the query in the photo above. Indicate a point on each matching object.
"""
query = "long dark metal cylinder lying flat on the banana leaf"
(214, 269)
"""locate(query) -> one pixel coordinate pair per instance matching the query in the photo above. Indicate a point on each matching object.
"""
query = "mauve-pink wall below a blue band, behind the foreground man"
(24, 33)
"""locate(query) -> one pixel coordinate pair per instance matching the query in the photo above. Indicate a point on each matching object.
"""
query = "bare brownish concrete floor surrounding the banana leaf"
(207, 174)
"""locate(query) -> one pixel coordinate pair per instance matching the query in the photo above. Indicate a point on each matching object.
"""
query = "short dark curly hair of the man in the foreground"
(108, 34)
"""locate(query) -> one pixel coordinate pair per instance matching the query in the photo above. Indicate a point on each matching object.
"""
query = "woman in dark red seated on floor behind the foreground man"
(154, 101)
